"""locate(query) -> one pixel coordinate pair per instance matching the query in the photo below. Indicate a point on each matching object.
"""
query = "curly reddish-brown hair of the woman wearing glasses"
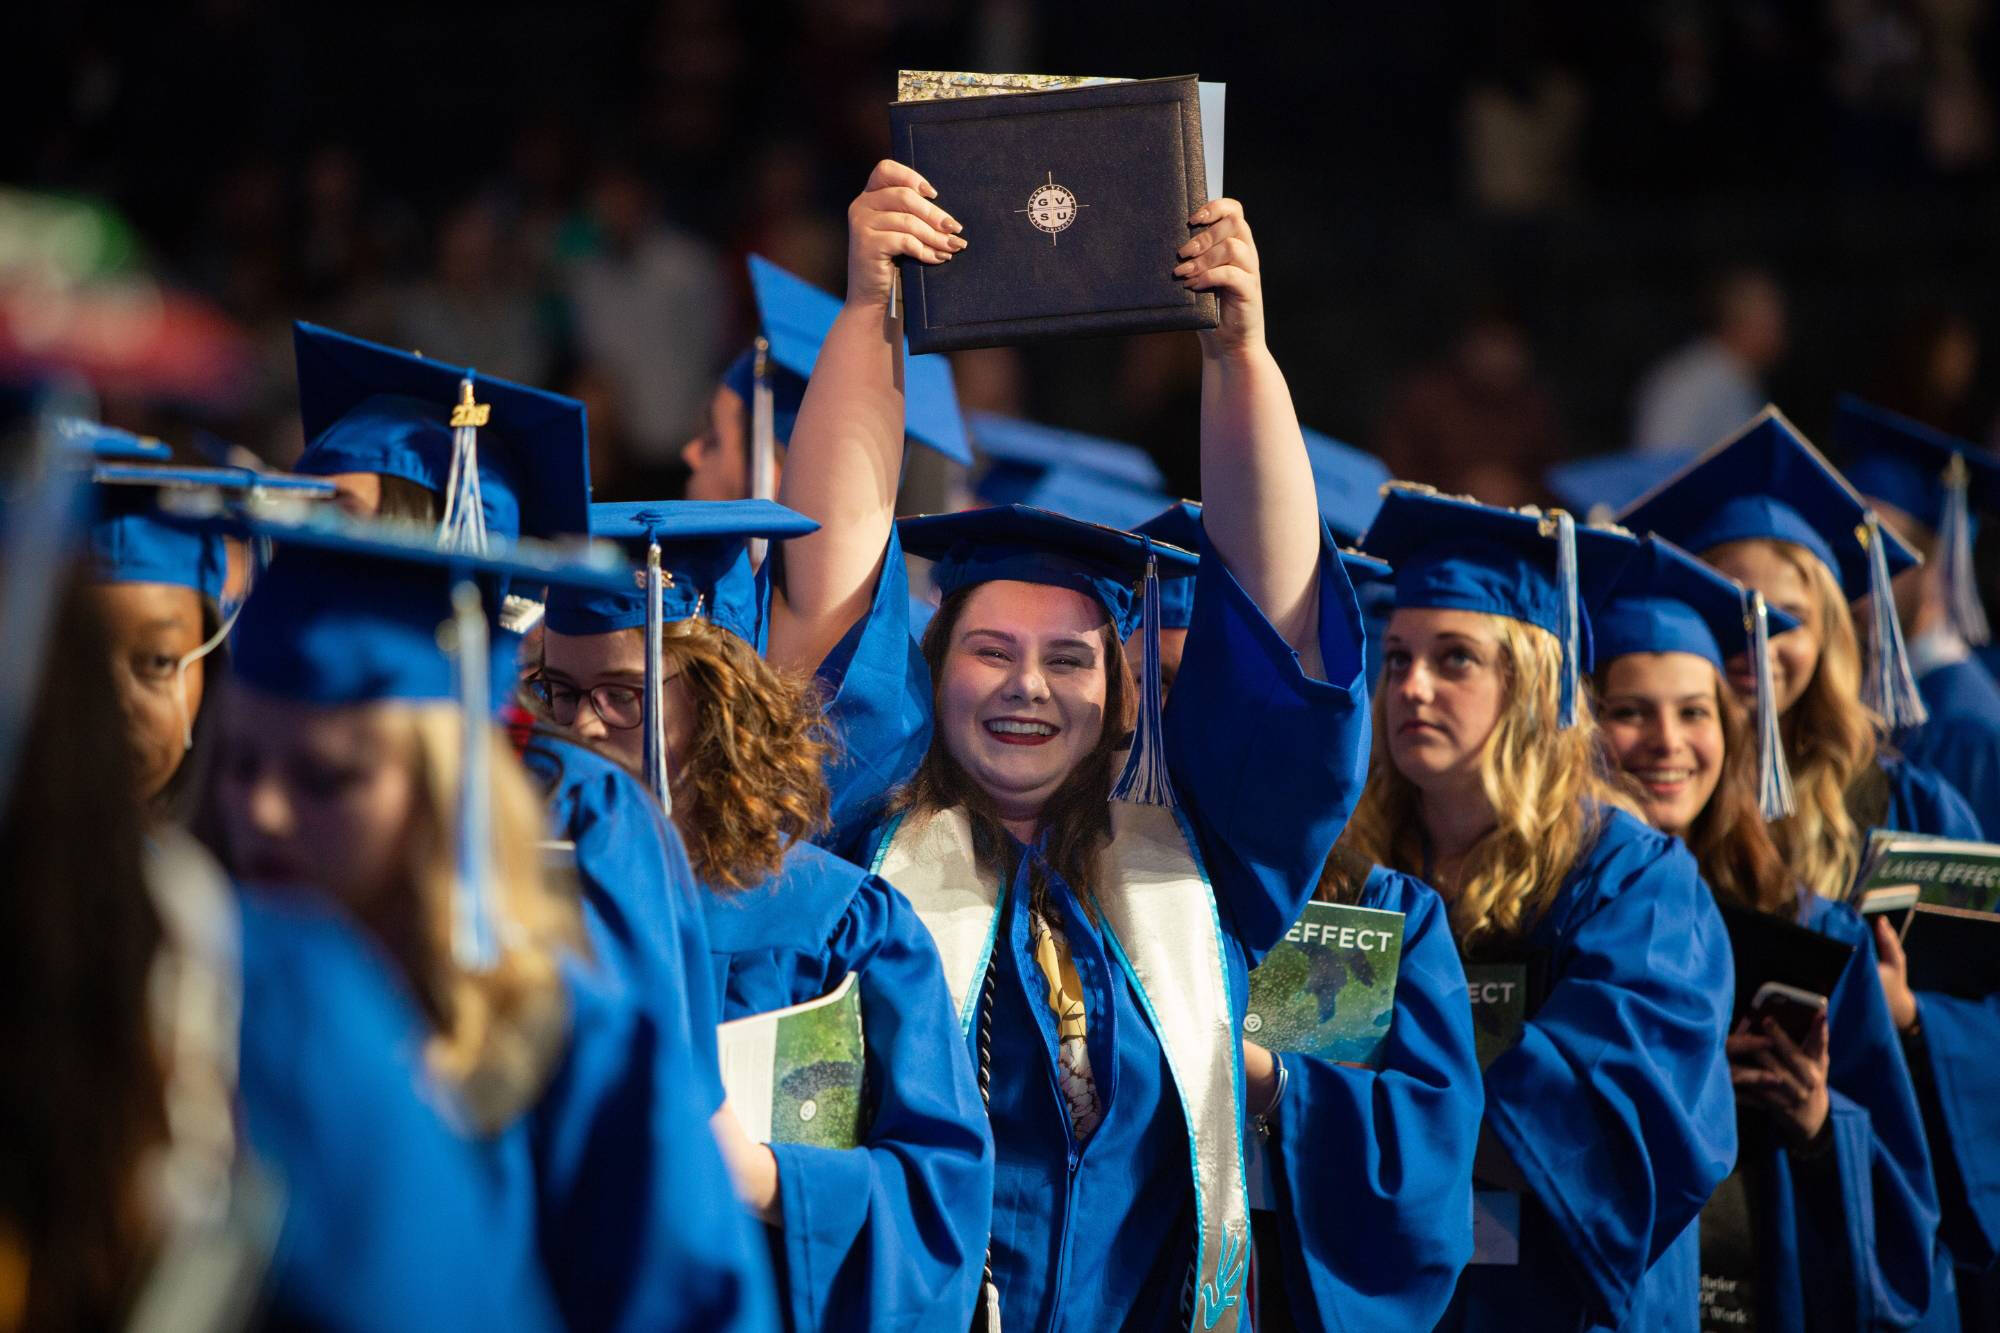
(753, 780)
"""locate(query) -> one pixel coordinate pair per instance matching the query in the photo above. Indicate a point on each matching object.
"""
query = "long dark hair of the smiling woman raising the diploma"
(1077, 816)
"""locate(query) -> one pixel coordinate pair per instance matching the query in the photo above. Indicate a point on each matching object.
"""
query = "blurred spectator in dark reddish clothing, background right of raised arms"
(1477, 423)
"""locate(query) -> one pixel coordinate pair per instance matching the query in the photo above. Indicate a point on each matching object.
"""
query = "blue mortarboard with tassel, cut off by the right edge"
(1937, 479)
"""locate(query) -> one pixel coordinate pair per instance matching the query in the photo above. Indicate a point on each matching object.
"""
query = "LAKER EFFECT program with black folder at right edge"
(1947, 896)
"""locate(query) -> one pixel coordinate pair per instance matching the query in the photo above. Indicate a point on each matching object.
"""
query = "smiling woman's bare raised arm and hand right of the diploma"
(1257, 487)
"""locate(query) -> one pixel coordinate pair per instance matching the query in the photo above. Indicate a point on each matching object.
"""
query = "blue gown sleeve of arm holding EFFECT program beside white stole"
(1377, 1232)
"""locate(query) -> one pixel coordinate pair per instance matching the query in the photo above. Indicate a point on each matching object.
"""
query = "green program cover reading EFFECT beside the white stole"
(1329, 990)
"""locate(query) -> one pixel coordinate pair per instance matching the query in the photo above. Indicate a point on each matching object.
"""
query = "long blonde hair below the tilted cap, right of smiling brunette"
(1831, 740)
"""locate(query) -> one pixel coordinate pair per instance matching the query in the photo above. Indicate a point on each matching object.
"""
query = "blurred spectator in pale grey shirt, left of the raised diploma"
(649, 307)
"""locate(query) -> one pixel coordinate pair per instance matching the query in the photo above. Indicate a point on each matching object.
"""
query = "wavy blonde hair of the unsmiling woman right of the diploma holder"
(1547, 786)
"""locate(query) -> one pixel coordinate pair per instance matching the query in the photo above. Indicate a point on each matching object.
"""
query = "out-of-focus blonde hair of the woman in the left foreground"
(499, 1034)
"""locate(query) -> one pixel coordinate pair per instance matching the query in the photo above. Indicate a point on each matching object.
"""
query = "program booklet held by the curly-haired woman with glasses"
(795, 1076)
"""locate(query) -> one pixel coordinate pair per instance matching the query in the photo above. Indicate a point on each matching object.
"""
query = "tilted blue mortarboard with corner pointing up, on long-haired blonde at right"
(1767, 481)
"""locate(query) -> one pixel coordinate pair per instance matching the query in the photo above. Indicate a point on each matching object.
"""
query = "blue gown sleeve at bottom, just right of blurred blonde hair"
(639, 1222)
